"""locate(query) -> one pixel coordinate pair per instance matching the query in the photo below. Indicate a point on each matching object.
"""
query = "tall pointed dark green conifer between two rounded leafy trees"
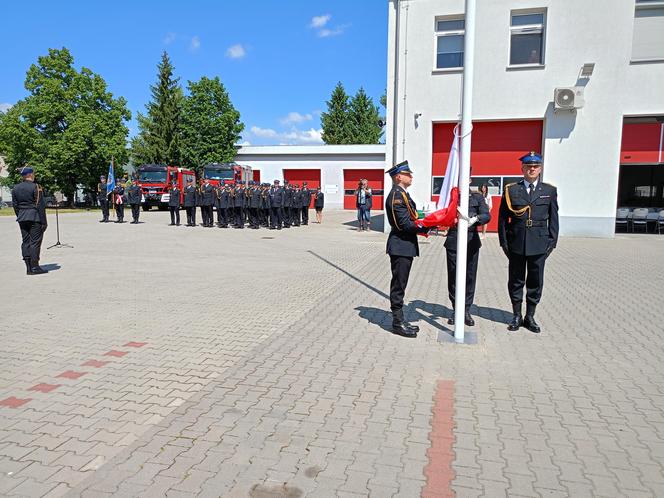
(158, 140)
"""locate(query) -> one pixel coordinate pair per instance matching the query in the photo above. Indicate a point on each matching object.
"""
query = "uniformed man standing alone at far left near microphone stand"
(30, 208)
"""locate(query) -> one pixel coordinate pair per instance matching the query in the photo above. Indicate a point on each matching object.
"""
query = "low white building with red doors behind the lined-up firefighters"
(335, 168)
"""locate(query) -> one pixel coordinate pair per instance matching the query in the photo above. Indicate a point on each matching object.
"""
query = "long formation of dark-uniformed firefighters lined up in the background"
(237, 203)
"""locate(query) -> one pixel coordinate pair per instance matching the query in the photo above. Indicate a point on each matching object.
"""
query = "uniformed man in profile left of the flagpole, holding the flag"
(402, 244)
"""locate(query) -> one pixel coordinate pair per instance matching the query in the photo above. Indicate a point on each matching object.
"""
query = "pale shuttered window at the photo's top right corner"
(648, 38)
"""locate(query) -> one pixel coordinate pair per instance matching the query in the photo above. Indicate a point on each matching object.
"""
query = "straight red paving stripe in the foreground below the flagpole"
(438, 472)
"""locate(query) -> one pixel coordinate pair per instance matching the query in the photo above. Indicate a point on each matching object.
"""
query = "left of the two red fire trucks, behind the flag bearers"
(155, 181)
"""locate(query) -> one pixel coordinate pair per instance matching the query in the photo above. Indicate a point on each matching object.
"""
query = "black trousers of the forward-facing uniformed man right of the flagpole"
(519, 266)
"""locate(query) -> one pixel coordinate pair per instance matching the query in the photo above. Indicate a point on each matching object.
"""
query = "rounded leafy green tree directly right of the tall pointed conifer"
(211, 126)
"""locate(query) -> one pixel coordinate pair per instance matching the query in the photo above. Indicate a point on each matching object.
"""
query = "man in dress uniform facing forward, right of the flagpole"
(528, 232)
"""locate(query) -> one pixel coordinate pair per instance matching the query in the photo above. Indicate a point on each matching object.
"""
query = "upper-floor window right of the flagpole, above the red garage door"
(527, 38)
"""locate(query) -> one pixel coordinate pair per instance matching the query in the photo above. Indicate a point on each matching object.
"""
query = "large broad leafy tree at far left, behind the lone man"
(67, 128)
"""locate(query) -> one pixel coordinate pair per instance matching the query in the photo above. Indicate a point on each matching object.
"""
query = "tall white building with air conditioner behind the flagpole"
(607, 153)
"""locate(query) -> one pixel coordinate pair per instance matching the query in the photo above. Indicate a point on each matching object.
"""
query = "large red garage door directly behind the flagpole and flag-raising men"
(496, 148)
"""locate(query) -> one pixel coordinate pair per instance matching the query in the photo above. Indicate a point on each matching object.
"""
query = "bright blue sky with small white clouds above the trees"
(279, 60)
